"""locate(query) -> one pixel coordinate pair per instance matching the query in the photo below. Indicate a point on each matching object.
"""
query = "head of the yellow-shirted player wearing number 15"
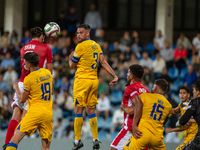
(160, 86)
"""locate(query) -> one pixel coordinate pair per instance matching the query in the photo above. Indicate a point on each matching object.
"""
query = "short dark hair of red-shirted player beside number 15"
(137, 70)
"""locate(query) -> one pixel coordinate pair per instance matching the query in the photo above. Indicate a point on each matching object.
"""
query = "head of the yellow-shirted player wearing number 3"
(83, 32)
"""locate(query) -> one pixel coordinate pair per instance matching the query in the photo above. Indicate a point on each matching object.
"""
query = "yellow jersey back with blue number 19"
(39, 84)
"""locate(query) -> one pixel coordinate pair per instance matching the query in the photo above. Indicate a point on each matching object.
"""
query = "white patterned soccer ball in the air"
(52, 29)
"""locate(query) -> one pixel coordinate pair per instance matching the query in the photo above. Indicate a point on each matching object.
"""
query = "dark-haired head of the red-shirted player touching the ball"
(37, 33)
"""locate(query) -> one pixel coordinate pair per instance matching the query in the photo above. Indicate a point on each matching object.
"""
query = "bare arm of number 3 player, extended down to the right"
(107, 67)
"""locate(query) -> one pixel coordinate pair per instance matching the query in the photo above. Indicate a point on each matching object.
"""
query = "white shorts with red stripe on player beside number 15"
(121, 139)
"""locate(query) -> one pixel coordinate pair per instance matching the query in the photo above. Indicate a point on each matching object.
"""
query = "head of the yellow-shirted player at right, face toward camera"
(184, 93)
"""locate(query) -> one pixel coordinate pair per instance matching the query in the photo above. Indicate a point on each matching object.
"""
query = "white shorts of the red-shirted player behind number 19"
(16, 99)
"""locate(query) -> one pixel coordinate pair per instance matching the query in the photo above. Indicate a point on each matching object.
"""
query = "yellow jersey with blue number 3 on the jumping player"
(86, 56)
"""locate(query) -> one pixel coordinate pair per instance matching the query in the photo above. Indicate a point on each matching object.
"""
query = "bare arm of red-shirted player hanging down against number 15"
(137, 115)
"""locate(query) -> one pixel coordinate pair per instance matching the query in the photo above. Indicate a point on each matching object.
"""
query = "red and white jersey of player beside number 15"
(130, 91)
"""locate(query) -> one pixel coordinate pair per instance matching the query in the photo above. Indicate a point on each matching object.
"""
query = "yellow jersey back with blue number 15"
(156, 108)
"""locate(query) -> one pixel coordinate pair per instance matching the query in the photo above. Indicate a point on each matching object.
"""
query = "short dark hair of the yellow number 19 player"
(32, 57)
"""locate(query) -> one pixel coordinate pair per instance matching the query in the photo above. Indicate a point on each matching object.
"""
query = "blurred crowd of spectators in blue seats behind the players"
(178, 63)
